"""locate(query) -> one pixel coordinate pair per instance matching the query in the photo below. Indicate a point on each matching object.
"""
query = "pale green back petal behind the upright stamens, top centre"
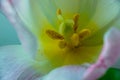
(86, 9)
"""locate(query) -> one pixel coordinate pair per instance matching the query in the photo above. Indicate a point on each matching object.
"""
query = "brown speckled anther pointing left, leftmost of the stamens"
(54, 35)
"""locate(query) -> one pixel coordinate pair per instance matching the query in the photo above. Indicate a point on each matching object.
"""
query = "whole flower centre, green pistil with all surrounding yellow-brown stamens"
(69, 36)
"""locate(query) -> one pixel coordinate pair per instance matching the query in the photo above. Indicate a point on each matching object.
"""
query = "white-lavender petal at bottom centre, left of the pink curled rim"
(66, 73)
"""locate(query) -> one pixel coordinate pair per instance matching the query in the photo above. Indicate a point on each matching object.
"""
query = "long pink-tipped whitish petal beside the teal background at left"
(27, 39)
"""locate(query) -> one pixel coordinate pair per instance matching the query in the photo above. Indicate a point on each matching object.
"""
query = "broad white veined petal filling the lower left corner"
(15, 64)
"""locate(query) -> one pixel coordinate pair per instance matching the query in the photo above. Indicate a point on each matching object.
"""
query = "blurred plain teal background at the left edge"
(8, 35)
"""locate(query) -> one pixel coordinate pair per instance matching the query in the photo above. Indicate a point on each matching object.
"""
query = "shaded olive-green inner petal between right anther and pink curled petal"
(97, 37)
